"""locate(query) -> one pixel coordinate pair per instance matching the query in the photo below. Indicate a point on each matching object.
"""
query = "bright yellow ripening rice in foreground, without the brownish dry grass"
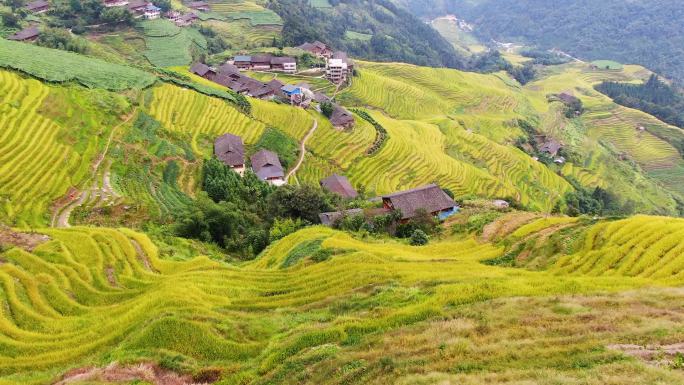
(91, 296)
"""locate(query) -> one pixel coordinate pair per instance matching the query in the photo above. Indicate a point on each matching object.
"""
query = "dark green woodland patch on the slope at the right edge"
(654, 97)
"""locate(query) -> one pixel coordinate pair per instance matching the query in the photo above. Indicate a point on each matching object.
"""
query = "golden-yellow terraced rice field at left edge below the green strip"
(37, 166)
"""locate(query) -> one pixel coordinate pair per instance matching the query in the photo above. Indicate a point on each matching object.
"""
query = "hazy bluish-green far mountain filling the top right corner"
(647, 32)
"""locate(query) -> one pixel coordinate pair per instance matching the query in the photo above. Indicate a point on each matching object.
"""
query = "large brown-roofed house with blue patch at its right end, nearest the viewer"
(430, 198)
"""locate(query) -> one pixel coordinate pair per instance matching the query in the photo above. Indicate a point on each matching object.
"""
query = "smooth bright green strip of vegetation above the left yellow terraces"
(60, 66)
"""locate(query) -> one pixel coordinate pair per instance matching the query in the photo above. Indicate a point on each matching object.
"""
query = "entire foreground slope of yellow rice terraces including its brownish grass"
(381, 310)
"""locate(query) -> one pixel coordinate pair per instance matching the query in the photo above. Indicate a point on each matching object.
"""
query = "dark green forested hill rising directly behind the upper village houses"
(372, 29)
